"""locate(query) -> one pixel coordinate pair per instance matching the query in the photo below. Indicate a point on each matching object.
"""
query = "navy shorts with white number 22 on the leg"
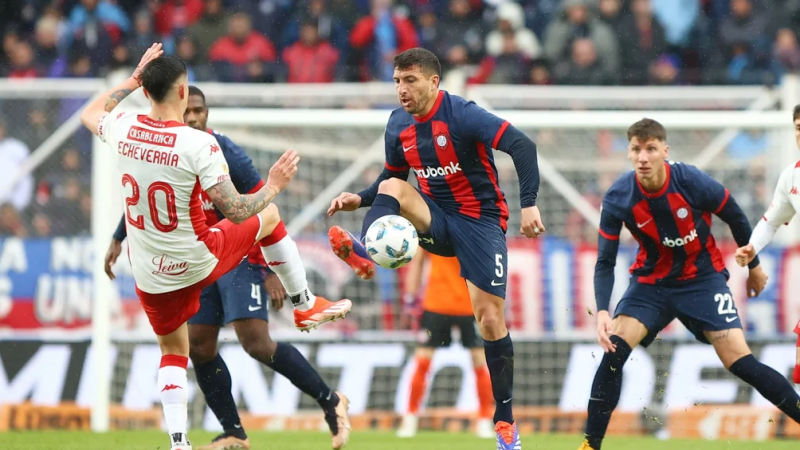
(701, 305)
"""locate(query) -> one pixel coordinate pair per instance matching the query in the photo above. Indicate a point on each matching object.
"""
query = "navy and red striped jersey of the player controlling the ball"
(449, 151)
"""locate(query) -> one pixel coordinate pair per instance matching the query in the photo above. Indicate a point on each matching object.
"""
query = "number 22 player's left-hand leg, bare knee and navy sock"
(623, 335)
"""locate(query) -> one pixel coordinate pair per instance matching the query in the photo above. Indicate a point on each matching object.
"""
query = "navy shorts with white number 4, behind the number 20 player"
(239, 294)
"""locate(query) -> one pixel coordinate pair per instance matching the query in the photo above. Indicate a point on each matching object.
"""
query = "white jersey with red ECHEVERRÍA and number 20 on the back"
(164, 167)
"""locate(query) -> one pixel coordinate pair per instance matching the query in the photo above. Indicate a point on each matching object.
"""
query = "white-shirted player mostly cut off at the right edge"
(785, 204)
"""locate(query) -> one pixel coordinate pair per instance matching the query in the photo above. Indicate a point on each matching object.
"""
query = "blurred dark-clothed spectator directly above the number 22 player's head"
(642, 41)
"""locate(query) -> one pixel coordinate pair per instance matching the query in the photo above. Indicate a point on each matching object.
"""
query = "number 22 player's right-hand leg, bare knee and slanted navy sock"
(735, 355)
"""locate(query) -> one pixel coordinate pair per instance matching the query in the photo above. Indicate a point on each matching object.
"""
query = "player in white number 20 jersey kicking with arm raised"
(164, 167)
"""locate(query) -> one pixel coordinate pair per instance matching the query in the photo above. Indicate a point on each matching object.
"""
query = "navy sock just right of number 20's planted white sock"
(214, 380)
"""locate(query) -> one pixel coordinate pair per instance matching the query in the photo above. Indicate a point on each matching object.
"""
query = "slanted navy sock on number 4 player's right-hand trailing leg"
(290, 363)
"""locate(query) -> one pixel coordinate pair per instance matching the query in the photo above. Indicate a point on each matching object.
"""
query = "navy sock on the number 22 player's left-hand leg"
(606, 390)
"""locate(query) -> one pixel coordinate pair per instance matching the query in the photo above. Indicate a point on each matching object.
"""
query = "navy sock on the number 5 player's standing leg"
(500, 360)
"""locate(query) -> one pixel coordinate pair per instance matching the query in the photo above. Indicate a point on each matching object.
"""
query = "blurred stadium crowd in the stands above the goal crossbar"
(572, 42)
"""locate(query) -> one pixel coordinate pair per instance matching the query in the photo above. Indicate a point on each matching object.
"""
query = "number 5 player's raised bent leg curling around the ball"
(395, 197)
